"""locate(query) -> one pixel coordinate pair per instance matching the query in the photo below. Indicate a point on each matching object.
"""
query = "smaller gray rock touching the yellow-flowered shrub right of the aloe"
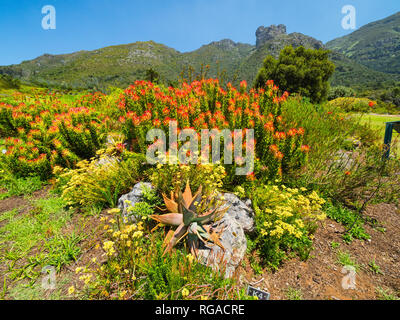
(241, 211)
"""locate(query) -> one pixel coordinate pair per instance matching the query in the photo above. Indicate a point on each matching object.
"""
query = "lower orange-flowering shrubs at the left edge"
(45, 132)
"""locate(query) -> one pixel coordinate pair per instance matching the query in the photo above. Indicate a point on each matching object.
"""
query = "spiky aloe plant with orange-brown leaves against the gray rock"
(193, 216)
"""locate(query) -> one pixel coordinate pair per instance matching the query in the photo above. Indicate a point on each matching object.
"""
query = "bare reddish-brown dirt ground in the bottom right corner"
(320, 277)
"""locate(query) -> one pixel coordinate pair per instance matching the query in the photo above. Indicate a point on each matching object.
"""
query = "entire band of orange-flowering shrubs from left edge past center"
(63, 133)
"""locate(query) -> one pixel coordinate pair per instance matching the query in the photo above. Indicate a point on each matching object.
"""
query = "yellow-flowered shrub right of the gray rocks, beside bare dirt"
(286, 219)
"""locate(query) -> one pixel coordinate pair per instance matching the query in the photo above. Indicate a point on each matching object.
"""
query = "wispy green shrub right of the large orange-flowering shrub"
(334, 166)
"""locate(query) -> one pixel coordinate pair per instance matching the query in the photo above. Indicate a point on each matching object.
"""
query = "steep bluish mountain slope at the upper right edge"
(375, 45)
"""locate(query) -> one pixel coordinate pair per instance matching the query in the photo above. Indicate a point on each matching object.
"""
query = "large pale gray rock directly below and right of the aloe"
(234, 242)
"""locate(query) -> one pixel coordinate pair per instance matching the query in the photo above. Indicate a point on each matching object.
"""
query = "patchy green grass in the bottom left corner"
(32, 239)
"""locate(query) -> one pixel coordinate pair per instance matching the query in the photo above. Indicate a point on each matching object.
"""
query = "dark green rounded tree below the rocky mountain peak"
(300, 70)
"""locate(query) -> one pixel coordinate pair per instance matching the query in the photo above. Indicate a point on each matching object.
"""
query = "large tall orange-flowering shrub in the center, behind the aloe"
(207, 105)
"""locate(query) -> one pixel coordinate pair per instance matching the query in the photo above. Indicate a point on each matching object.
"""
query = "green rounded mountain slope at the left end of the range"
(116, 65)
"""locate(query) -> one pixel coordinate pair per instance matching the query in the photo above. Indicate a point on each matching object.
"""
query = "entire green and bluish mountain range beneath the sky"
(367, 58)
